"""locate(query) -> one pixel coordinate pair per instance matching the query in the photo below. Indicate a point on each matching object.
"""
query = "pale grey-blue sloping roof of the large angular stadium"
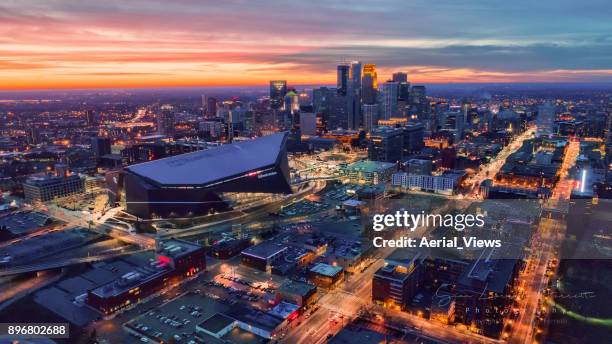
(210, 165)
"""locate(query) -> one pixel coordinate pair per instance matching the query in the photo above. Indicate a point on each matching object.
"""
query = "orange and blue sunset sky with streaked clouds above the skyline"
(142, 43)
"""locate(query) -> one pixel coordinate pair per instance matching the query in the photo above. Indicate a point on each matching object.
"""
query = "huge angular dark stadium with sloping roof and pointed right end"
(207, 181)
